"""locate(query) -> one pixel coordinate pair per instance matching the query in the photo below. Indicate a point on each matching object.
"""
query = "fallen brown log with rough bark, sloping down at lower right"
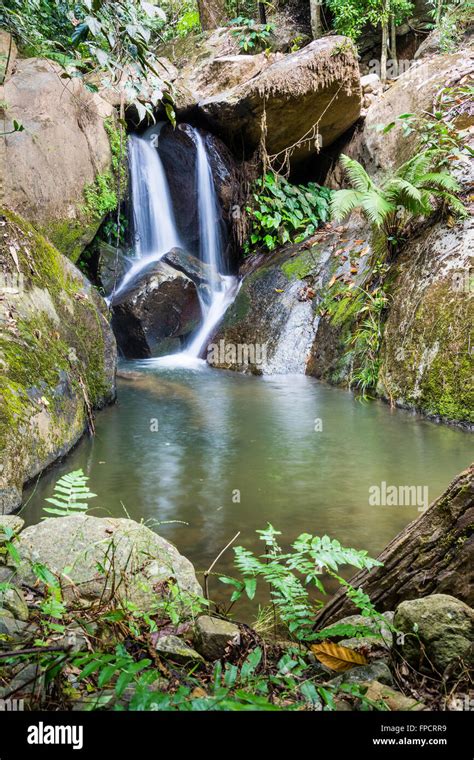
(432, 555)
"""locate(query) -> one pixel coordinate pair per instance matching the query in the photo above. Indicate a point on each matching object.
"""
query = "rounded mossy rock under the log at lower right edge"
(439, 630)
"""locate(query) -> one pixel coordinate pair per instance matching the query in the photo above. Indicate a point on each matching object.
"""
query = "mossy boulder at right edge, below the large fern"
(426, 358)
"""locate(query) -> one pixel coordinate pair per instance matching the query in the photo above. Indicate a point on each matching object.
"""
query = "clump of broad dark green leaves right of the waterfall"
(282, 213)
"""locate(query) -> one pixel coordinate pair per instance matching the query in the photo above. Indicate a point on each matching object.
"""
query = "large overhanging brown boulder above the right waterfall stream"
(283, 97)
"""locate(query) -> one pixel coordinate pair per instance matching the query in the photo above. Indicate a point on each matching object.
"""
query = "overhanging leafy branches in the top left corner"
(90, 36)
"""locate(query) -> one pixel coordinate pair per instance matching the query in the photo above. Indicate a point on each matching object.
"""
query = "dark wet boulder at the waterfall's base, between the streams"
(156, 313)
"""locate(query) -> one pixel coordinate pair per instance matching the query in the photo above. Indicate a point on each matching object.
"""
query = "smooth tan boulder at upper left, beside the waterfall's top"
(63, 148)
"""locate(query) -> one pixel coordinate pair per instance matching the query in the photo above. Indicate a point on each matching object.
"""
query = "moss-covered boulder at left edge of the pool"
(57, 355)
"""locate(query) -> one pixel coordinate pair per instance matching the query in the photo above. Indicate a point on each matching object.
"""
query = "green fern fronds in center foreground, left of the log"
(291, 575)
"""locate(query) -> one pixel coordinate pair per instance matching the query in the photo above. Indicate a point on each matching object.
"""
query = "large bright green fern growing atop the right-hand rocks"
(414, 190)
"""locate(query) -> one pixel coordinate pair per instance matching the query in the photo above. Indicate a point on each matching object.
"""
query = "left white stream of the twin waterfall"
(154, 223)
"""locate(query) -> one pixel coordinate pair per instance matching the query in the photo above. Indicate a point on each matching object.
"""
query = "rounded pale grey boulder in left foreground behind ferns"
(100, 557)
